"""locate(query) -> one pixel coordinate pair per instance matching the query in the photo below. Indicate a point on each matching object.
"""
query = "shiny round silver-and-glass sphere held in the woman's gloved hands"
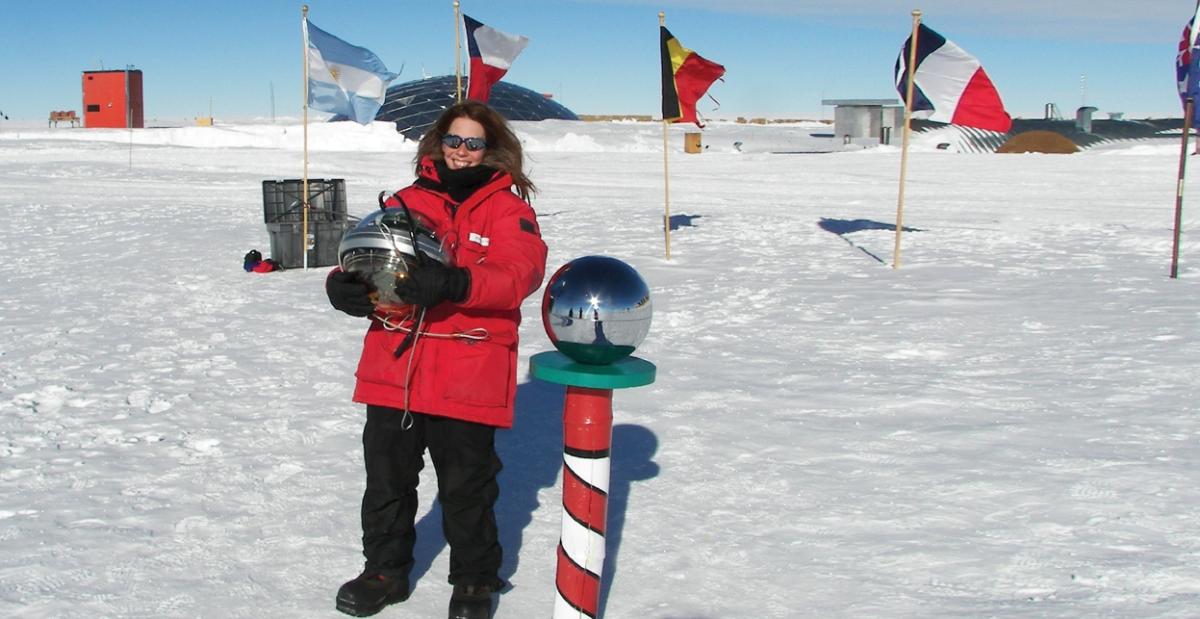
(381, 250)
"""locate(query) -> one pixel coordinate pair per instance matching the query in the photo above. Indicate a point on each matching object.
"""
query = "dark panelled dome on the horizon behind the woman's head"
(415, 106)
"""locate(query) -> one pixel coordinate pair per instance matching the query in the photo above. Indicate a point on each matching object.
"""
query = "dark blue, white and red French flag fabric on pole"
(951, 86)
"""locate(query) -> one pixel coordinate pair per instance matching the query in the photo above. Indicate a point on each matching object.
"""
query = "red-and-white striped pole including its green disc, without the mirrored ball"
(587, 444)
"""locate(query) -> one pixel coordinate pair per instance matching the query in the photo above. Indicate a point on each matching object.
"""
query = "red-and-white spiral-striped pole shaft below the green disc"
(587, 441)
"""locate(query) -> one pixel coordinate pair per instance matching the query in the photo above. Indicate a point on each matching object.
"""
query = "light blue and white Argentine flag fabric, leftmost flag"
(343, 79)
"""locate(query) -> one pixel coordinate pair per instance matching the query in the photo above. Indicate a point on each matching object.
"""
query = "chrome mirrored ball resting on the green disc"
(597, 310)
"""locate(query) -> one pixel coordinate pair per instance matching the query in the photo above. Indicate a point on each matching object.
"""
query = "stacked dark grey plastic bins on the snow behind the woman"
(284, 214)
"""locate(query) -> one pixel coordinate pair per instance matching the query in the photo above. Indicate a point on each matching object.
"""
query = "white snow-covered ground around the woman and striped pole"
(1006, 426)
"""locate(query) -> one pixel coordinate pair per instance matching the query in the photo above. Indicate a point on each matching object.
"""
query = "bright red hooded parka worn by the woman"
(464, 365)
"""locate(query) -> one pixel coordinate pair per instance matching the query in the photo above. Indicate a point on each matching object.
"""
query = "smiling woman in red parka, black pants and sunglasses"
(443, 378)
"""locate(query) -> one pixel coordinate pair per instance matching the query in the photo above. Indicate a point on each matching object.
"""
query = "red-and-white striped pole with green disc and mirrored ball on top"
(596, 311)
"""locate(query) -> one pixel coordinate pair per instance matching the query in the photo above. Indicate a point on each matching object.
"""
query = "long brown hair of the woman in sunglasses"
(503, 151)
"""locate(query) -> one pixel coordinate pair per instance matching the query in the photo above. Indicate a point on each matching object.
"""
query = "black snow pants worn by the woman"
(466, 464)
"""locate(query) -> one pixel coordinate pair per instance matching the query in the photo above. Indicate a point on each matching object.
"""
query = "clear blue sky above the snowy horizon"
(782, 57)
